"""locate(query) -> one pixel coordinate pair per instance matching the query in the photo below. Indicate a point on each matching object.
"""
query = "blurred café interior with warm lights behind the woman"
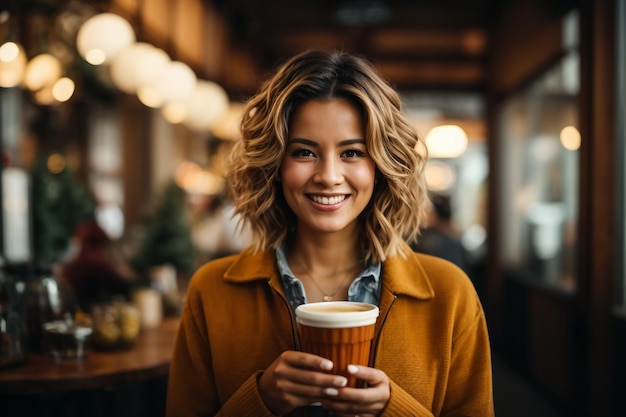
(117, 118)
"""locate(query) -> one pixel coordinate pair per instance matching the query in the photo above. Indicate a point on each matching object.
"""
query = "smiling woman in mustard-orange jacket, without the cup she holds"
(330, 181)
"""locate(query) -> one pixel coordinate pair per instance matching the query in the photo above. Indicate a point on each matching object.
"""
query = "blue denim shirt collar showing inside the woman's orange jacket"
(365, 288)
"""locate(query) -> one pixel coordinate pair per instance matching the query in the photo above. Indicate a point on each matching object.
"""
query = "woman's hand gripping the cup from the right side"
(361, 402)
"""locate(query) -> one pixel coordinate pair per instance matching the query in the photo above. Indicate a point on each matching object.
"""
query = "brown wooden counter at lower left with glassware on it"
(148, 358)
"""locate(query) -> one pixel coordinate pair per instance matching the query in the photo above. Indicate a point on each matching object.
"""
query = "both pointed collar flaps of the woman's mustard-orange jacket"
(261, 265)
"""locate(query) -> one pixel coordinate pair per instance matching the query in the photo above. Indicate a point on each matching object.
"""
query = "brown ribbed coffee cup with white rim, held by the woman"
(341, 331)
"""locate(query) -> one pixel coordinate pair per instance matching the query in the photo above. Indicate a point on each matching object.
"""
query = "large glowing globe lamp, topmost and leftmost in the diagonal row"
(102, 36)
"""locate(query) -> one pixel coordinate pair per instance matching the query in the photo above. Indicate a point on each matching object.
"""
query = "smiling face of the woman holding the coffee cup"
(327, 175)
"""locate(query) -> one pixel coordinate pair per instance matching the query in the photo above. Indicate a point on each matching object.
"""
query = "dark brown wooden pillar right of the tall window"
(597, 216)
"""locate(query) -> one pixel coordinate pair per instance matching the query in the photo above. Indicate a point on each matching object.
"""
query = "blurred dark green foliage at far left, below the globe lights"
(60, 203)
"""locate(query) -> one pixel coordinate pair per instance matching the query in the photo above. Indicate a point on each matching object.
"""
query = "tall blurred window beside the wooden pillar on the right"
(538, 195)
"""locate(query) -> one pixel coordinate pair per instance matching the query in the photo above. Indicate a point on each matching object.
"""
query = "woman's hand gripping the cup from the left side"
(298, 379)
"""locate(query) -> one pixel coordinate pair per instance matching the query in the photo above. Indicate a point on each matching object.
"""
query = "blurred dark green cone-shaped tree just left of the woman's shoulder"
(165, 237)
